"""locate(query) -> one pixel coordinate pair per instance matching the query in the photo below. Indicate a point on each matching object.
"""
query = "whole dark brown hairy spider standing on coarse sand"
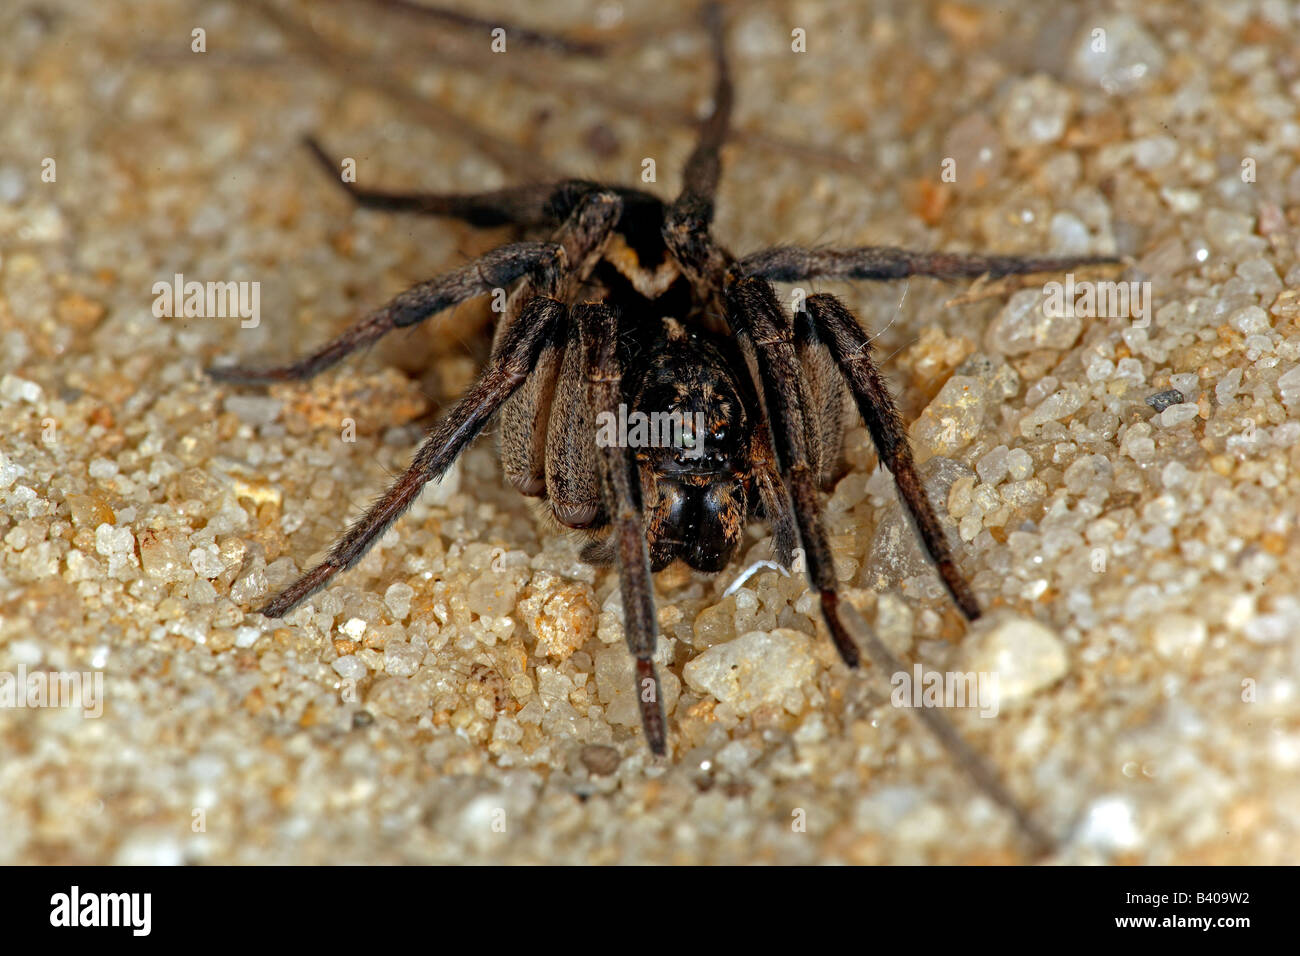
(630, 300)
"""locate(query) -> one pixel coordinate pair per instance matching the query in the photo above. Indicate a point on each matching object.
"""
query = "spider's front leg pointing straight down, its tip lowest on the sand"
(621, 485)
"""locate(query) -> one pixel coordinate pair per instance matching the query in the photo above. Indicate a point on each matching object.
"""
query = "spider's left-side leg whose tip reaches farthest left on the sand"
(496, 270)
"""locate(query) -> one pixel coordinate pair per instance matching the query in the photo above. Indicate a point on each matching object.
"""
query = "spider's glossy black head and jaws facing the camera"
(694, 481)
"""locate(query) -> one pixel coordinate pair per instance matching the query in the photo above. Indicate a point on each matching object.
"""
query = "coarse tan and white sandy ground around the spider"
(465, 695)
